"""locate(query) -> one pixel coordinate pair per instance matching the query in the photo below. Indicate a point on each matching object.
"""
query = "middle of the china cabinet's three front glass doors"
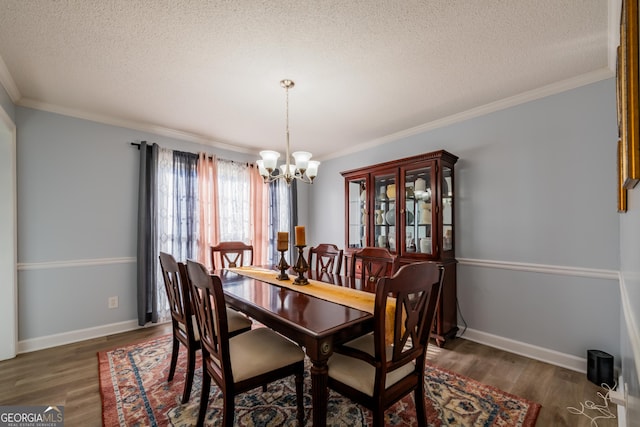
(385, 211)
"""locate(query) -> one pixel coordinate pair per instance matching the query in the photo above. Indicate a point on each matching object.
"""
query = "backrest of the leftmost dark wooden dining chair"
(175, 283)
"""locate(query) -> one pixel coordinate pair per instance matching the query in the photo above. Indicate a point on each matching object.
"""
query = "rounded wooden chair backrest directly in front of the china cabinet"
(372, 263)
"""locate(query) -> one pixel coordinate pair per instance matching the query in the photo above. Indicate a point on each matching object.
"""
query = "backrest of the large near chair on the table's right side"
(416, 289)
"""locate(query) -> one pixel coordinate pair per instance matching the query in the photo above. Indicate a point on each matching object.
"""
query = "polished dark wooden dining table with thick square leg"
(314, 323)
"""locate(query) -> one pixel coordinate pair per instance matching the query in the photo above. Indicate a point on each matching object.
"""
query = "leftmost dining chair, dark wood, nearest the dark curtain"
(184, 327)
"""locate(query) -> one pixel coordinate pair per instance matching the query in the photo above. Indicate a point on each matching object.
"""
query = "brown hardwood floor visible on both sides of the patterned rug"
(68, 375)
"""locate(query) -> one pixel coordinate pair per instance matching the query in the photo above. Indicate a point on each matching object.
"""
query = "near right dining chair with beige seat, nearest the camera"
(377, 372)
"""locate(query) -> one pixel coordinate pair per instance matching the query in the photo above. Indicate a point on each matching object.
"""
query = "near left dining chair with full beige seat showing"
(241, 363)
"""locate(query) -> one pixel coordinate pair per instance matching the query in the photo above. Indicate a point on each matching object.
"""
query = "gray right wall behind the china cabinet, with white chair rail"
(537, 230)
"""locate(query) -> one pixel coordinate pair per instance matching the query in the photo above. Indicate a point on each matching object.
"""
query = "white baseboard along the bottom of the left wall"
(55, 340)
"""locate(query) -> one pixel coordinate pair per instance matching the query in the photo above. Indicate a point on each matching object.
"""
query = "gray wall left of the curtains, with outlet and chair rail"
(77, 206)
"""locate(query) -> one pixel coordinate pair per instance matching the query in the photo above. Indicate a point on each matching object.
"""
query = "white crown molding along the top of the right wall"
(532, 95)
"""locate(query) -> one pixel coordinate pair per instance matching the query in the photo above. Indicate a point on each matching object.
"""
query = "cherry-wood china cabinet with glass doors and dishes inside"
(407, 206)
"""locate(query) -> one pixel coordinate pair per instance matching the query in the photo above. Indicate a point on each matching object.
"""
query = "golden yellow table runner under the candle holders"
(353, 298)
